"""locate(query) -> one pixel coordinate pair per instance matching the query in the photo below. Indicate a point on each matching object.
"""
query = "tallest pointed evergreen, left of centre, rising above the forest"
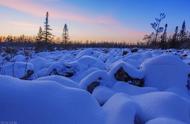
(47, 30)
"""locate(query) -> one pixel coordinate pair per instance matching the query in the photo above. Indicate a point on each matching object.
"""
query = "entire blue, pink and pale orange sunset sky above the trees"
(100, 20)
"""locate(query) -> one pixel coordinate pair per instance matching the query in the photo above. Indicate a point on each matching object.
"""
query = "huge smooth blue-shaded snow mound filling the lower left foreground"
(46, 102)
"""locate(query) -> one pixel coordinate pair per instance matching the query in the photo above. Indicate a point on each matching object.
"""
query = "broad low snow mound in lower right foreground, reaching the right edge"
(162, 104)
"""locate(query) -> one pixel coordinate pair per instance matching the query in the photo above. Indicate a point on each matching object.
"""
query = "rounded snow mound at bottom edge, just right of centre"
(120, 110)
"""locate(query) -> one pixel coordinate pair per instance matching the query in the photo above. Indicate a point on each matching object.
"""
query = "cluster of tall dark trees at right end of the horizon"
(160, 38)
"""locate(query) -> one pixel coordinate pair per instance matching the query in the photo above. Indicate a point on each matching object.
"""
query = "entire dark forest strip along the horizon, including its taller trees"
(45, 40)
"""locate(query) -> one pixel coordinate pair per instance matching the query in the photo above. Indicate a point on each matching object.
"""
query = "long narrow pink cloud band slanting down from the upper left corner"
(39, 10)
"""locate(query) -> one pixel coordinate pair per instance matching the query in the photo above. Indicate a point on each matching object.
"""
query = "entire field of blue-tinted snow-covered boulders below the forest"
(95, 86)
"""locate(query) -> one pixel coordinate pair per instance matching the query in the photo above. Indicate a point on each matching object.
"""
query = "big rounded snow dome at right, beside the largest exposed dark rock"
(165, 71)
